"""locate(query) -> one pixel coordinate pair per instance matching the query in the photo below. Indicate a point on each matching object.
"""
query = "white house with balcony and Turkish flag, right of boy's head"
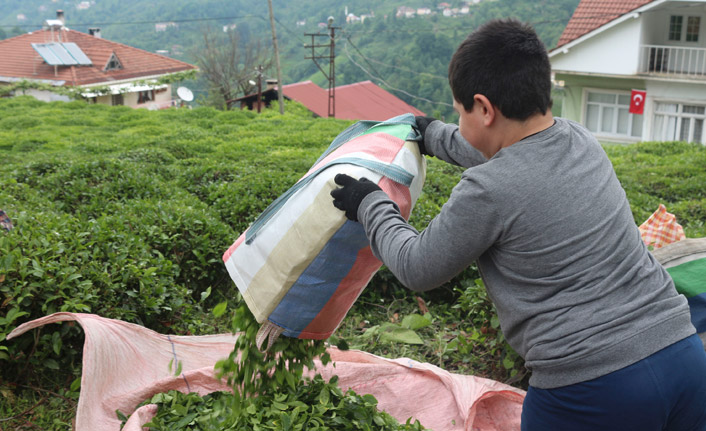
(635, 70)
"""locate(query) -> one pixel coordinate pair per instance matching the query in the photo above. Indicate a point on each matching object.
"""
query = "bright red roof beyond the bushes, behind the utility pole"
(359, 101)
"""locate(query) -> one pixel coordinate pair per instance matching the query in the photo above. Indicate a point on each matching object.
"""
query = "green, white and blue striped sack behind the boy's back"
(685, 261)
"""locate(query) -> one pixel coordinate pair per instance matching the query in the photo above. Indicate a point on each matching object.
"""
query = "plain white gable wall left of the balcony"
(615, 51)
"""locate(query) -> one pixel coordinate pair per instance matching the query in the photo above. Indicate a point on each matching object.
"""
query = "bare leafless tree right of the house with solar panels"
(228, 65)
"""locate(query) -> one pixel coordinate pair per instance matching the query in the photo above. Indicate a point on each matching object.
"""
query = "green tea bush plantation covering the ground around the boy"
(125, 213)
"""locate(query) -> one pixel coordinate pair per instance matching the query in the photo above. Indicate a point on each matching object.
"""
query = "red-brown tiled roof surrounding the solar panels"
(20, 60)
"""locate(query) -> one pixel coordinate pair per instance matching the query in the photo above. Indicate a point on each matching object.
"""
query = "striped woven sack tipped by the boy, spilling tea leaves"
(301, 265)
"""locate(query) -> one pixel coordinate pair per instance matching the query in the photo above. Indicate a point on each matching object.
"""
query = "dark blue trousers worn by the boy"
(665, 391)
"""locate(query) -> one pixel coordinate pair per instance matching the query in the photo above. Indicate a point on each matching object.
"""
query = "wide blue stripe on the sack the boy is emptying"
(320, 279)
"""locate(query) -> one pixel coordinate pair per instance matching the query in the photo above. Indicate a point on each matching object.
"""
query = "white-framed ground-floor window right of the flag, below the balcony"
(679, 122)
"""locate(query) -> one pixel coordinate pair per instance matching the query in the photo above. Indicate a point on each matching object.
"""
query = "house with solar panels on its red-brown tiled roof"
(118, 74)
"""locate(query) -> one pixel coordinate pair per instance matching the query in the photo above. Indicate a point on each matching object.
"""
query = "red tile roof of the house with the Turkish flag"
(591, 14)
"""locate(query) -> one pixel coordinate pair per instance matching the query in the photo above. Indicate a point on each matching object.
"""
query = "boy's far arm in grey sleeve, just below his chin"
(445, 142)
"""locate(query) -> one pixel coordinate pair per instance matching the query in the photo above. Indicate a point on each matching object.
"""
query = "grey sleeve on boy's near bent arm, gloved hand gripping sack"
(466, 227)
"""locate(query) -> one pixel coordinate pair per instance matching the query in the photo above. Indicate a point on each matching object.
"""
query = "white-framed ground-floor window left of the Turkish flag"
(608, 114)
